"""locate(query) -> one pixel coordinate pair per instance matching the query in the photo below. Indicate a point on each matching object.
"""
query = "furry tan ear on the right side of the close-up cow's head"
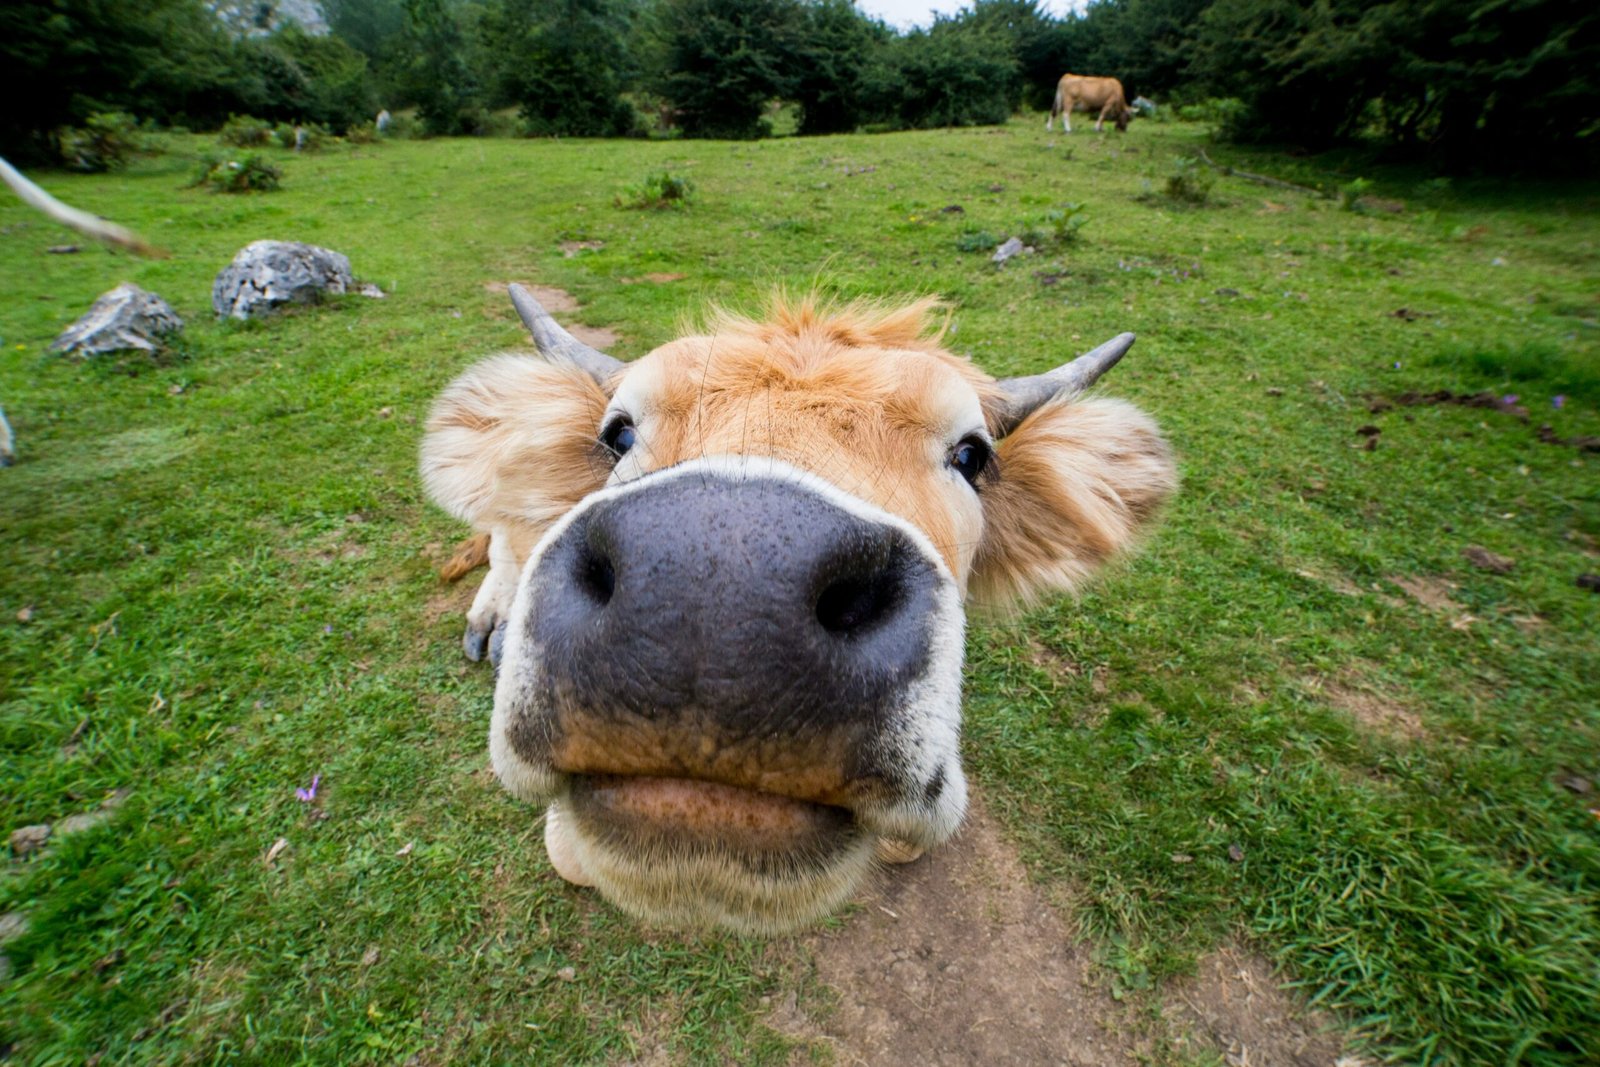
(1079, 482)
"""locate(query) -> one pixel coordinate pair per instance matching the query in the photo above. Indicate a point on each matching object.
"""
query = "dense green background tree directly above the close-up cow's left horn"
(566, 63)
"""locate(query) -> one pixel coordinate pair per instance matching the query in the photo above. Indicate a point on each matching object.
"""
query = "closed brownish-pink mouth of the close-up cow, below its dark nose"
(655, 812)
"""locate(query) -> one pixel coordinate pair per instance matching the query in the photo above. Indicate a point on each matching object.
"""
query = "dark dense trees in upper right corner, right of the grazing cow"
(1465, 79)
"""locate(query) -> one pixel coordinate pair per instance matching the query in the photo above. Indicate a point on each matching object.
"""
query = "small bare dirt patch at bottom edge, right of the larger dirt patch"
(1236, 1005)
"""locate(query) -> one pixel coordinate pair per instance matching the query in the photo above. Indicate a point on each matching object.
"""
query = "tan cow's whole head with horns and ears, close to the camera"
(727, 586)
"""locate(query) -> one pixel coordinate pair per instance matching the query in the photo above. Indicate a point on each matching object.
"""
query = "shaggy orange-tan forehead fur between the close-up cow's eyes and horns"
(862, 396)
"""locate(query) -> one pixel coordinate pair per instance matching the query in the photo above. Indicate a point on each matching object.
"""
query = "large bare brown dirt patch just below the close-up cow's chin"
(959, 959)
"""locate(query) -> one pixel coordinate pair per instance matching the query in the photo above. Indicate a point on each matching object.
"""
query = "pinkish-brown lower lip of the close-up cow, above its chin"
(681, 807)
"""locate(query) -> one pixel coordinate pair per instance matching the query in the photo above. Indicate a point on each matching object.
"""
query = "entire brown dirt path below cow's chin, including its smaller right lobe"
(959, 961)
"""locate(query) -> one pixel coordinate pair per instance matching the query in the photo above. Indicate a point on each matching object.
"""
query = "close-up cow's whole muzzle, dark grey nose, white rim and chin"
(730, 681)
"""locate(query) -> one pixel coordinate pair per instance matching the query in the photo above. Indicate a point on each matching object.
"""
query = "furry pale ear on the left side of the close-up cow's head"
(513, 441)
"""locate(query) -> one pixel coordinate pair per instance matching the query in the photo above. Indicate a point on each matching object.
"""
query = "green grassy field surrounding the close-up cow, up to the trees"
(1302, 719)
